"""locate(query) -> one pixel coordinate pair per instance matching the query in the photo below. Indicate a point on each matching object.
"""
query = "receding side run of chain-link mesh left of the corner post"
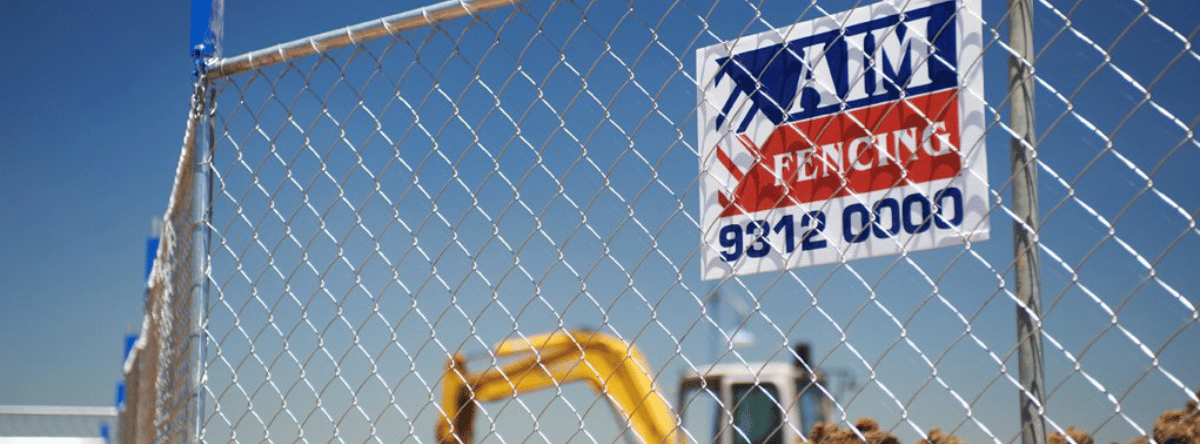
(160, 401)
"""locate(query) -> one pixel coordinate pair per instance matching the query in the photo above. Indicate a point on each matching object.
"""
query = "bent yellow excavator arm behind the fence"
(613, 368)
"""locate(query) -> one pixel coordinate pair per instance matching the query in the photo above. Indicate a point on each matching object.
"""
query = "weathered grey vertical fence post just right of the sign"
(1025, 229)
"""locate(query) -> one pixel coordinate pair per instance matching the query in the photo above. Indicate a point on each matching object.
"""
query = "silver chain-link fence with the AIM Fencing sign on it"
(379, 200)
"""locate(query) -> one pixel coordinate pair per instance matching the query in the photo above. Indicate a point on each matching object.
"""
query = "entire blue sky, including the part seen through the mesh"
(97, 106)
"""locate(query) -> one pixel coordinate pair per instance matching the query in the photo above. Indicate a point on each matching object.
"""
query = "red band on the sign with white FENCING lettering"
(913, 141)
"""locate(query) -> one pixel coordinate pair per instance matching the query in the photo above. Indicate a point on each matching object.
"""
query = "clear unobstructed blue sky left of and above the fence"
(95, 98)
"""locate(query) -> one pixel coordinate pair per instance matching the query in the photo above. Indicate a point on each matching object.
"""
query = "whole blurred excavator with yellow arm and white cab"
(754, 404)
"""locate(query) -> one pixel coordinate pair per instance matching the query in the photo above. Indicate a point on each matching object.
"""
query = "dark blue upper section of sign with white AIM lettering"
(865, 64)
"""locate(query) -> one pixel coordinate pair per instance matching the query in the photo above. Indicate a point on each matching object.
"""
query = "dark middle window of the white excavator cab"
(758, 418)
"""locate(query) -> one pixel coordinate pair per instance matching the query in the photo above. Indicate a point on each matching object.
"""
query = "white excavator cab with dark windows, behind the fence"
(753, 404)
